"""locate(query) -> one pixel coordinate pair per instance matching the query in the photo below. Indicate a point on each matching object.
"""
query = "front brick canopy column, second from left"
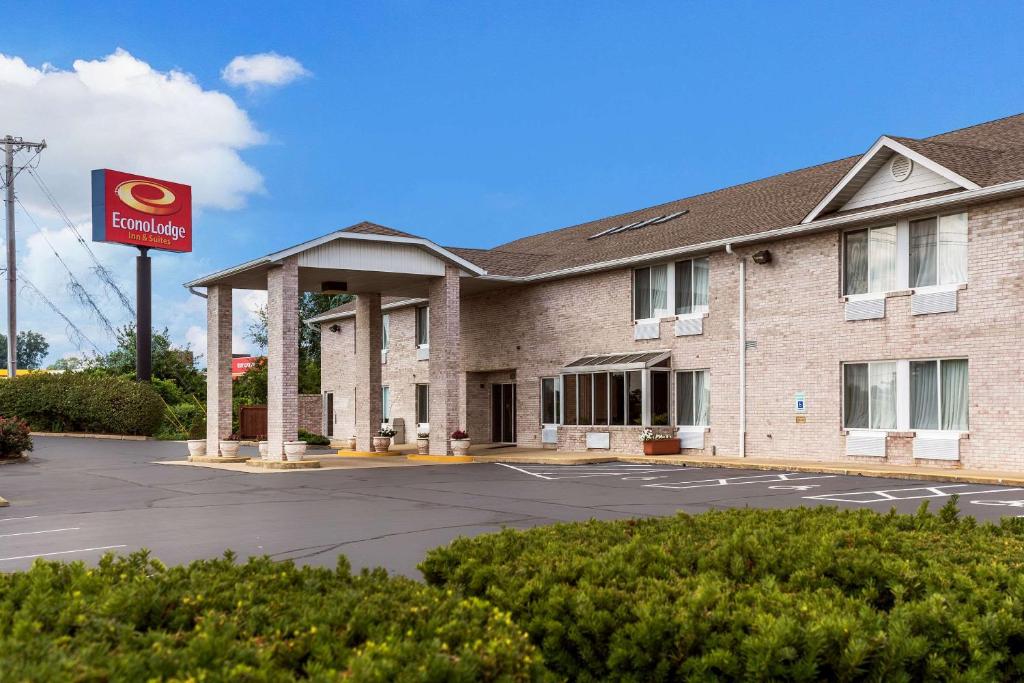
(283, 357)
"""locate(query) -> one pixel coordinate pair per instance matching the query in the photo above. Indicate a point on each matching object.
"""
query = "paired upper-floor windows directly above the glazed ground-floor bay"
(669, 289)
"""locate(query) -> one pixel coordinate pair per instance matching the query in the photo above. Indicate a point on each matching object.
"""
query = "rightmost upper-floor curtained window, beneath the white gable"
(938, 251)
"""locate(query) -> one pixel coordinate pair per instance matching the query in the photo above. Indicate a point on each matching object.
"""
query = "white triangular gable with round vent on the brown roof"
(890, 172)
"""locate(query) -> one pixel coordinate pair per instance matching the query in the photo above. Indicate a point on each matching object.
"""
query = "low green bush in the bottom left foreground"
(135, 620)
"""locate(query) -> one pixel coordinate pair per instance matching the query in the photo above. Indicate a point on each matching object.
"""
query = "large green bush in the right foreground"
(808, 594)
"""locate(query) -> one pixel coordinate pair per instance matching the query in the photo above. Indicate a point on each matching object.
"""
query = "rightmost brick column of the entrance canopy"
(448, 382)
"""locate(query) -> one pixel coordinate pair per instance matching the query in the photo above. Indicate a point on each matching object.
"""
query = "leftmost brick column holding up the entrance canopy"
(219, 367)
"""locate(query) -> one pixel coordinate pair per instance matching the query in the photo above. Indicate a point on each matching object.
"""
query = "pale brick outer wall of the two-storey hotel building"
(795, 315)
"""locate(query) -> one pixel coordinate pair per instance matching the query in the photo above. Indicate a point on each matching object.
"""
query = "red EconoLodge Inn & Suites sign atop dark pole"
(136, 210)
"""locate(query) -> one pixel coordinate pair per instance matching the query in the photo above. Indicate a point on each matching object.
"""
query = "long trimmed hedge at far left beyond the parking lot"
(83, 403)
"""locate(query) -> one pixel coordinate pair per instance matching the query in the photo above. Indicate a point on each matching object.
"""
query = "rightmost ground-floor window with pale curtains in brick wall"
(940, 395)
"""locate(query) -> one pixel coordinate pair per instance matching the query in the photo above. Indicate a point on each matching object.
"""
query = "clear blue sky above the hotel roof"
(476, 123)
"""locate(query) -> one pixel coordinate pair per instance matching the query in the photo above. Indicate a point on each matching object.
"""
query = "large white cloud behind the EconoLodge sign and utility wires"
(118, 112)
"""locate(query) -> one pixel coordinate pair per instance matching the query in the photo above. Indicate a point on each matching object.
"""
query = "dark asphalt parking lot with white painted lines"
(77, 499)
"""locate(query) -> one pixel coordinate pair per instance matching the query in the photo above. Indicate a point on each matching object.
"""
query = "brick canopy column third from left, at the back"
(369, 337)
